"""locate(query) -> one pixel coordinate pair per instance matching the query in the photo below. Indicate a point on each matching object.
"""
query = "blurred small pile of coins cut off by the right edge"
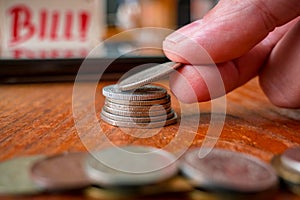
(287, 166)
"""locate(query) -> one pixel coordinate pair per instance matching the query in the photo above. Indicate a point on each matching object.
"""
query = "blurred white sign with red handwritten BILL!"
(50, 28)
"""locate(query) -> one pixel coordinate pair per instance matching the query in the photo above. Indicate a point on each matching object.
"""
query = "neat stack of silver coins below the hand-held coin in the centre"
(148, 106)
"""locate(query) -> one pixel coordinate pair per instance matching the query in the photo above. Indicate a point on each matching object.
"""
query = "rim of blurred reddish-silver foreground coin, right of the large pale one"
(204, 179)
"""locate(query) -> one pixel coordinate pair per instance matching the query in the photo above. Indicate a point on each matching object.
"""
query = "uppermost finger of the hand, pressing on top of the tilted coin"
(229, 30)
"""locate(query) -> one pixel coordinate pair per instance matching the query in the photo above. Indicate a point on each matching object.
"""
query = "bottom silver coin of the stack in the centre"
(156, 124)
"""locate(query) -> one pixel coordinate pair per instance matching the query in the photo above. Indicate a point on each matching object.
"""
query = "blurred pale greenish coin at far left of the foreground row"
(24, 164)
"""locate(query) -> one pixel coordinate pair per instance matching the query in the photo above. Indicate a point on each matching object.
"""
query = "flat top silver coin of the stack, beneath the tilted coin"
(147, 92)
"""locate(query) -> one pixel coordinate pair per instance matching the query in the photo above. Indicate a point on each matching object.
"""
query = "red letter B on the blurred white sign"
(22, 28)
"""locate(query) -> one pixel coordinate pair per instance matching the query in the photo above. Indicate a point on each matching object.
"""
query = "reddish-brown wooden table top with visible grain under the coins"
(38, 119)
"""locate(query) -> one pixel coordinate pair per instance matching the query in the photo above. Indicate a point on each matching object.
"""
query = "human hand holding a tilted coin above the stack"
(245, 39)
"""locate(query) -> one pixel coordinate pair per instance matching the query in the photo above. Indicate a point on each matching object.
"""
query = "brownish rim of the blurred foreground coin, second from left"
(51, 183)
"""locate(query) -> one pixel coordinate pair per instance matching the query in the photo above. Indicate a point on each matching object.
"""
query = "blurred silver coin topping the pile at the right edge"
(291, 159)
